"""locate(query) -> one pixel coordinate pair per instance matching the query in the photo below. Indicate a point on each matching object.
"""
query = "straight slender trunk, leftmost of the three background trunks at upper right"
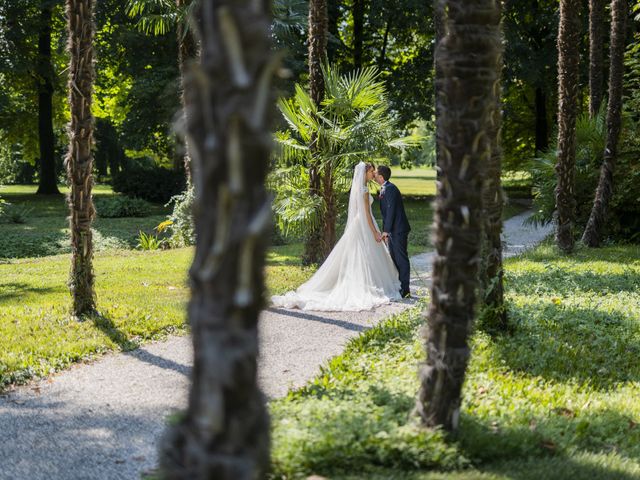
(568, 54)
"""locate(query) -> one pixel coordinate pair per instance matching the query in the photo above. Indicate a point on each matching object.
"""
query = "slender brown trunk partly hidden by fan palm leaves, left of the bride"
(314, 244)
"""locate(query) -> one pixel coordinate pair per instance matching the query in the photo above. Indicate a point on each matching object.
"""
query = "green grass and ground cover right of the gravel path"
(557, 399)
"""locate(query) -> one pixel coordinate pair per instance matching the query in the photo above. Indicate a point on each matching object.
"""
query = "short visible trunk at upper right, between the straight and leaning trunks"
(596, 55)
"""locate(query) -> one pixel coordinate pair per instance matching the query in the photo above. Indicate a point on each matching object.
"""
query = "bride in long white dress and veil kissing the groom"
(358, 274)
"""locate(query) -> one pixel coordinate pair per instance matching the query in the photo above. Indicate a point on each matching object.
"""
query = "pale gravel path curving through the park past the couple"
(101, 421)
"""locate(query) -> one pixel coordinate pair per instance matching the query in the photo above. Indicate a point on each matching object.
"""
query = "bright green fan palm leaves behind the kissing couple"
(352, 124)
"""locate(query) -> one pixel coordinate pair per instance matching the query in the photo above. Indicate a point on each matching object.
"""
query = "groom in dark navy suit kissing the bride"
(395, 226)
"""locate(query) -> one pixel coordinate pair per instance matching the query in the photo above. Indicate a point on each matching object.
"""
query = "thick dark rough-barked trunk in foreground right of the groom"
(468, 56)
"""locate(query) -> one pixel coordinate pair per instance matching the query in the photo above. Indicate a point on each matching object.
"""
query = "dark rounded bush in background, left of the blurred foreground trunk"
(149, 182)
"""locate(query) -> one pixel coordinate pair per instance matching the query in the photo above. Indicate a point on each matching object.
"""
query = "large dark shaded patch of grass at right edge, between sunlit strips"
(565, 343)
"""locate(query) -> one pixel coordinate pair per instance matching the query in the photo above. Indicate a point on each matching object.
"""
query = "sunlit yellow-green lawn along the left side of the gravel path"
(140, 295)
